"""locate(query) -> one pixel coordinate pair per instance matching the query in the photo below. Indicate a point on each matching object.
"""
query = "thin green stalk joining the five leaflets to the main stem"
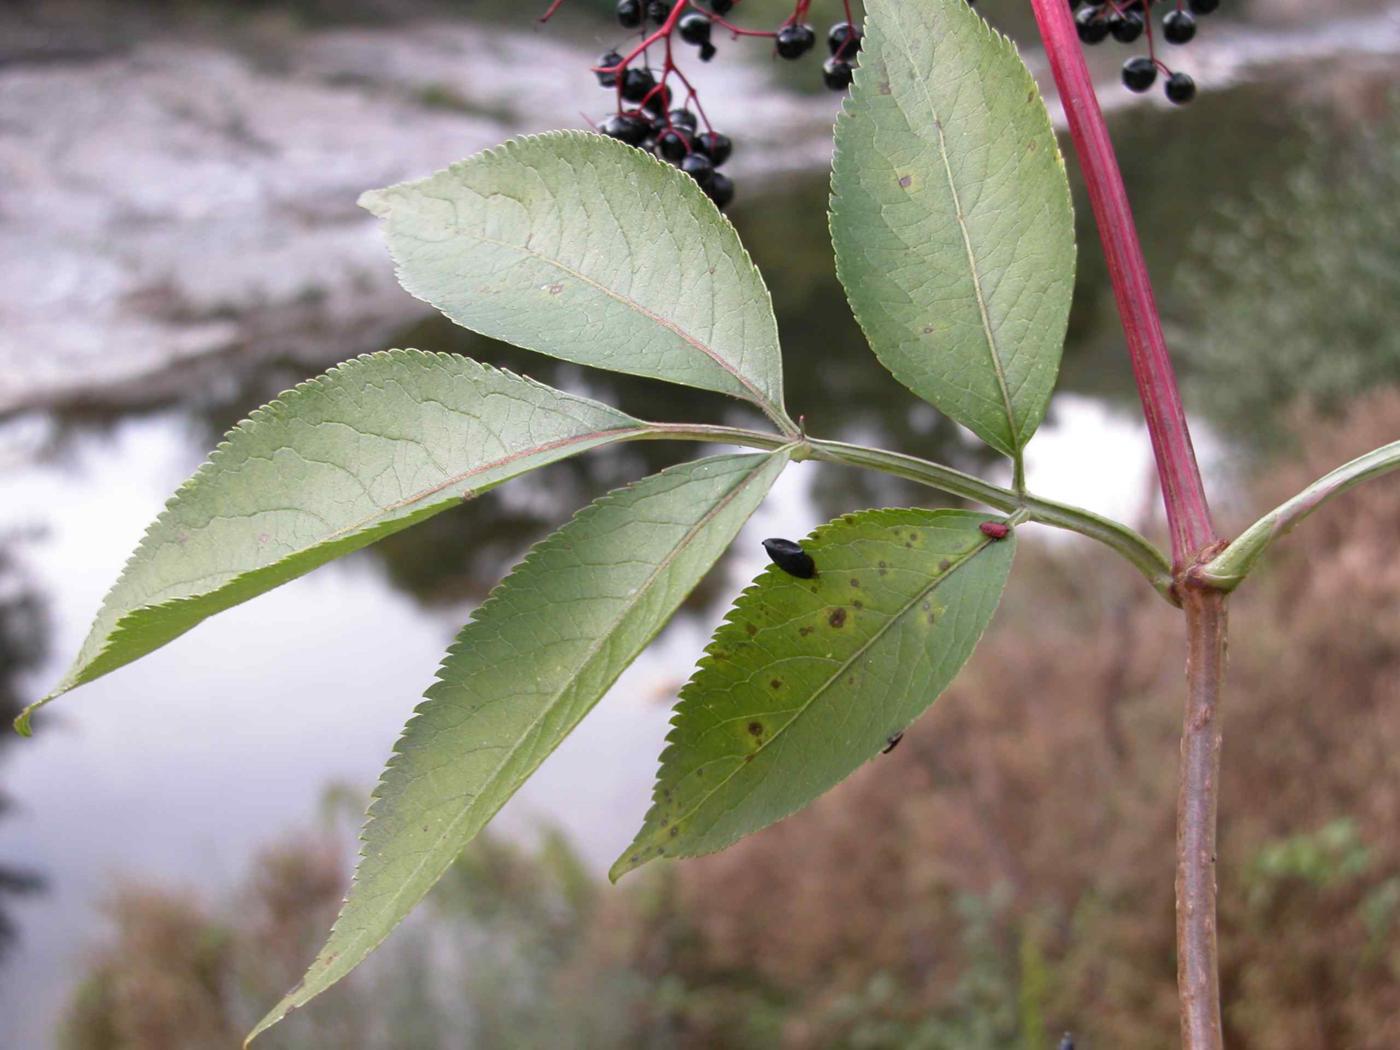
(1139, 552)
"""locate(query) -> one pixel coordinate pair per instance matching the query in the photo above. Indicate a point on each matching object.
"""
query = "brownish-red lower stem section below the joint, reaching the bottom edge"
(1198, 967)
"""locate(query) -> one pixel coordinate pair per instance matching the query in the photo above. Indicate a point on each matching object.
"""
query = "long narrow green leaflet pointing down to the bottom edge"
(526, 670)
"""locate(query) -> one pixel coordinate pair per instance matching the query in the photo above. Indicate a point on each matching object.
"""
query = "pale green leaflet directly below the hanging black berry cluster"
(587, 250)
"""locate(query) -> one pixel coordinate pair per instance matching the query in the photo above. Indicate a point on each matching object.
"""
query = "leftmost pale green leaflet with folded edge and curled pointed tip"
(366, 450)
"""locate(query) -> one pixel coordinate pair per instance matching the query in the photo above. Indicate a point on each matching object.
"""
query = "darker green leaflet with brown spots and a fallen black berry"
(808, 678)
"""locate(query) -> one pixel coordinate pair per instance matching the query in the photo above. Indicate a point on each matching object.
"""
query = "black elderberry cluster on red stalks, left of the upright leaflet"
(652, 113)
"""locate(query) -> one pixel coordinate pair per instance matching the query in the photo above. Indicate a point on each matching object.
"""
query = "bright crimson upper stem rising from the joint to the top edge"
(1188, 514)
